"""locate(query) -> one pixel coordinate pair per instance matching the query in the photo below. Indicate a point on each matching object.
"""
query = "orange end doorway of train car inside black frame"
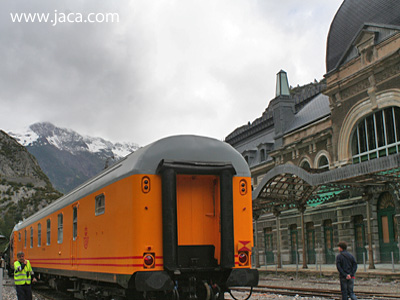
(198, 220)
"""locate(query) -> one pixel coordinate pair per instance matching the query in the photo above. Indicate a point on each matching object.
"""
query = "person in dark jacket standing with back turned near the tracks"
(347, 267)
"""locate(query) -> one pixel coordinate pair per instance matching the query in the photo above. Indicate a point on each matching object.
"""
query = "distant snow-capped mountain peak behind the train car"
(67, 157)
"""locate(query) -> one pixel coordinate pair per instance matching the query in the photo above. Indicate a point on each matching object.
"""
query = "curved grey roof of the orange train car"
(183, 148)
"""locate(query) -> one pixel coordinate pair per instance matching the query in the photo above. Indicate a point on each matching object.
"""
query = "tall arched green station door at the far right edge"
(387, 224)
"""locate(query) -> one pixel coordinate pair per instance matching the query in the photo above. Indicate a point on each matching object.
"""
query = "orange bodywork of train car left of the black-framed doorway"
(99, 242)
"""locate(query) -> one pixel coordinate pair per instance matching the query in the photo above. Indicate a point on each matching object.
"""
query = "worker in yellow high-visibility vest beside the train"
(23, 277)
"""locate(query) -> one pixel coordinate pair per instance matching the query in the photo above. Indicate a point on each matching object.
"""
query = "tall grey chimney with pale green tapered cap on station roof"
(282, 107)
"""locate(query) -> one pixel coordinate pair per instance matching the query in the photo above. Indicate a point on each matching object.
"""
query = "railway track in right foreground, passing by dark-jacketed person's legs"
(314, 292)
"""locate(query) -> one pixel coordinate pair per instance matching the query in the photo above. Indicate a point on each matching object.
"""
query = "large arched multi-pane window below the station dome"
(377, 135)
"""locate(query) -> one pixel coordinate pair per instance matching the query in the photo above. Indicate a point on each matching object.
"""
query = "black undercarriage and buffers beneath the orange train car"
(204, 285)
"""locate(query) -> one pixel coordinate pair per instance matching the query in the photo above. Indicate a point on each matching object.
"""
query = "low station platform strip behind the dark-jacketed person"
(389, 271)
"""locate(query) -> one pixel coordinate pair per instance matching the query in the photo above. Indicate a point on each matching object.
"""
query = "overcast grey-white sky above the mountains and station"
(167, 67)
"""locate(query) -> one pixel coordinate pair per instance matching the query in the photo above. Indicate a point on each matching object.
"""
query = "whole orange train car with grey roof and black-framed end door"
(171, 220)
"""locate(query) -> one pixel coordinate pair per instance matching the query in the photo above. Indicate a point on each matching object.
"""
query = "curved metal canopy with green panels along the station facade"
(288, 186)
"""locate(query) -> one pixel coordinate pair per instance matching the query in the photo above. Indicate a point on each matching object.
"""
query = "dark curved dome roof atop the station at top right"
(350, 18)
